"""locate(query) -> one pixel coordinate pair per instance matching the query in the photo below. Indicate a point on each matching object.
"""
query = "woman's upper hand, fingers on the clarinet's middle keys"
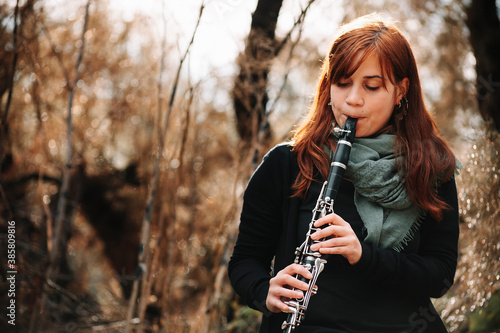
(342, 239)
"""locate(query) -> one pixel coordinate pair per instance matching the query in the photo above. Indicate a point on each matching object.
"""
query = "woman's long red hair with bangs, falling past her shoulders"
(427, 156)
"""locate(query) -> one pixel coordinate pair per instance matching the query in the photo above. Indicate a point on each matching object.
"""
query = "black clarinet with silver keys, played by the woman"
(315, 261)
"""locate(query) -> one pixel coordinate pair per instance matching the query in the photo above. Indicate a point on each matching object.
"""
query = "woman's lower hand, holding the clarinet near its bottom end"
(280, 287)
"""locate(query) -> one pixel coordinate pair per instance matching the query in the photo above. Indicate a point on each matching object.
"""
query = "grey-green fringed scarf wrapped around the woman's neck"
(389, 216)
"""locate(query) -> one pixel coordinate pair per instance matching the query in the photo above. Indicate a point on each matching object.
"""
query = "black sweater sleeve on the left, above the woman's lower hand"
(249, 268)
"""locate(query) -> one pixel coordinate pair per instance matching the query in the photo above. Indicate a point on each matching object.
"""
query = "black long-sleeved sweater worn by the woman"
(386, 291)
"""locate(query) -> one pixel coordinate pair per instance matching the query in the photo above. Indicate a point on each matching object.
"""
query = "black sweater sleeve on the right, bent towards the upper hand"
(429, 272)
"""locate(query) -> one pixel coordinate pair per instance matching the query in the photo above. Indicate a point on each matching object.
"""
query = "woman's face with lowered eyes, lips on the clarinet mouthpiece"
(363, 96)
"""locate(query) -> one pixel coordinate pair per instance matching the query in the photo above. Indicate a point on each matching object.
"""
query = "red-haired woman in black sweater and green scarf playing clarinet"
(392, 239)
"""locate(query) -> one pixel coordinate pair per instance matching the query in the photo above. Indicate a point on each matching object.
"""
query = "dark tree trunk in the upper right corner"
(484, 25)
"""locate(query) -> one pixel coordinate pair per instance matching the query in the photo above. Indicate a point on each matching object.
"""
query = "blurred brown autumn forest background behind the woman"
(129, 131)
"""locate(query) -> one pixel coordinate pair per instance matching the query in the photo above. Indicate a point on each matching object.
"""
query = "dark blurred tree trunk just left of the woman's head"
(250, 85)
